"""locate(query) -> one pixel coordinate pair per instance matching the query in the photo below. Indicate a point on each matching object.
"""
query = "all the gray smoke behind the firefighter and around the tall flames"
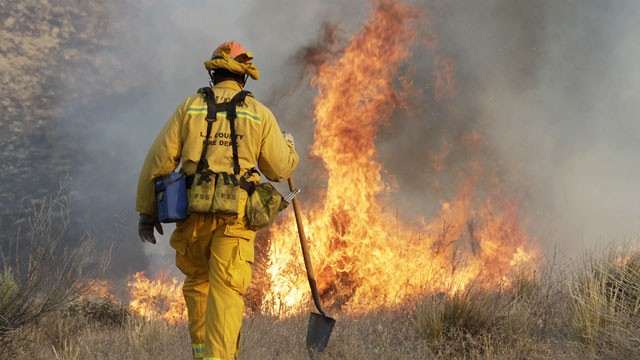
(552, 85)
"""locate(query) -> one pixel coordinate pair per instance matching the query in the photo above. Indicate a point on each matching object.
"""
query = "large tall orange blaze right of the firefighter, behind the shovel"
(363, 255)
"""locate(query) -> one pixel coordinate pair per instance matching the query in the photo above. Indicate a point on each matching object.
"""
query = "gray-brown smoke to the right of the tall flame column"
(550, 87)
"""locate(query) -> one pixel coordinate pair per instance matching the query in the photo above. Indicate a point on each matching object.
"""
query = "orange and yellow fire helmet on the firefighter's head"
(234, 57)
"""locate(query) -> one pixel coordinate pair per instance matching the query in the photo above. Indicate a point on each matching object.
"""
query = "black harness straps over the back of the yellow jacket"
(212, 110)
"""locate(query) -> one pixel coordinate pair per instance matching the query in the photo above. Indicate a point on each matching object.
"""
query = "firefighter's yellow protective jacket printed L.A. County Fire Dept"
(260, 141)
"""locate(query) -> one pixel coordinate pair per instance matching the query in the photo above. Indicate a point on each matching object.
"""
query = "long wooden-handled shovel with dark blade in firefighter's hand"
(320, 325)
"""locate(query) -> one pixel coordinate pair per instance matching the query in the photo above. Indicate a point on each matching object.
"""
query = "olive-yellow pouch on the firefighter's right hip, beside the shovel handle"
(263, 206)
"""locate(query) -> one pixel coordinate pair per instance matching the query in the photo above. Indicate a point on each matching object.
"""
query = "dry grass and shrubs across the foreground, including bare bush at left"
(587, 310)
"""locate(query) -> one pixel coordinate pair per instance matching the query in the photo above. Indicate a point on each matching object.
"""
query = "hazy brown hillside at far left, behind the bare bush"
(56, 64)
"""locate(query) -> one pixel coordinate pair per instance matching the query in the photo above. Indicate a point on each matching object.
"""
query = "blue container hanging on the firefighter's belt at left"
(171, 196)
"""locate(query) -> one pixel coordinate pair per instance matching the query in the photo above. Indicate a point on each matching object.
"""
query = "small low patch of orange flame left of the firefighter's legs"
(157, 298)
